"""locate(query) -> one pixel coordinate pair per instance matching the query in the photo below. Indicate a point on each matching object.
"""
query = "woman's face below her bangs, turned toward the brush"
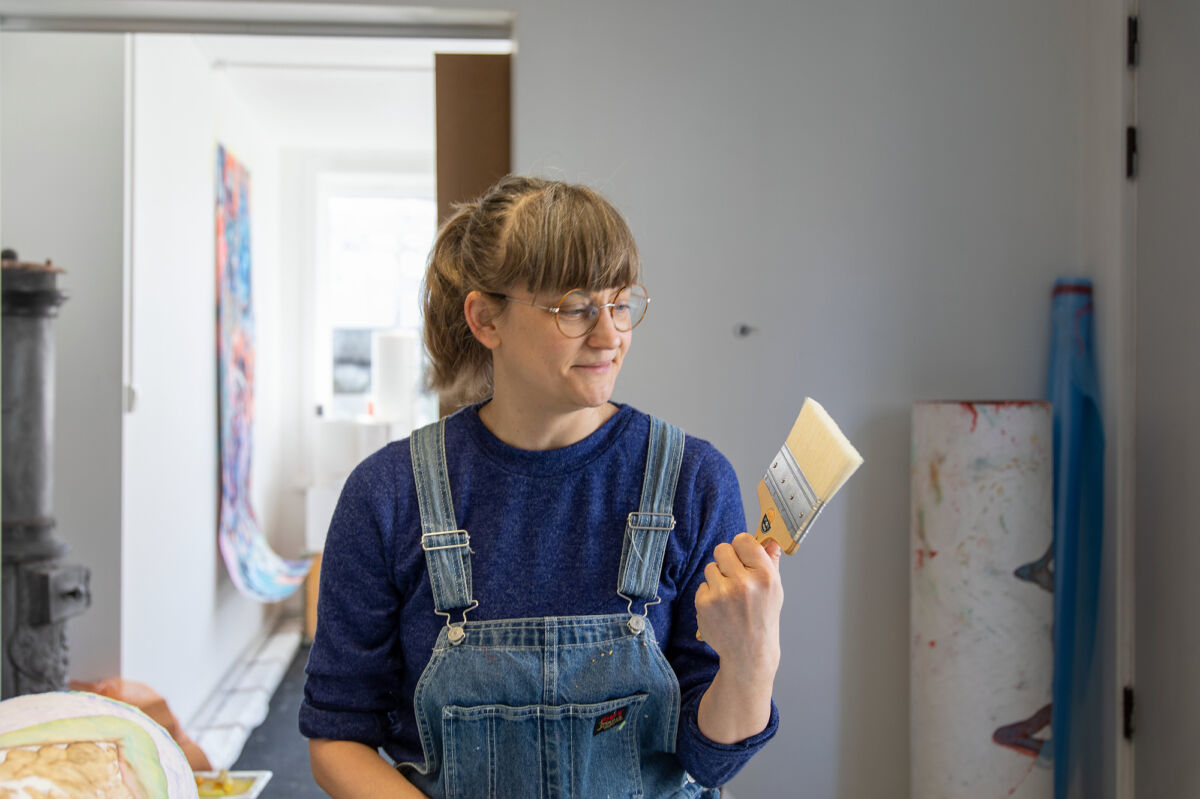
(541, 368)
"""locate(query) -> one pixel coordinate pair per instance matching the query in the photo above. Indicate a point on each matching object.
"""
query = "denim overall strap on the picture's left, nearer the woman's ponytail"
(447, 548)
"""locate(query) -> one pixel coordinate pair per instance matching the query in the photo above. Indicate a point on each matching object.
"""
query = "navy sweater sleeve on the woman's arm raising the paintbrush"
(712, 507)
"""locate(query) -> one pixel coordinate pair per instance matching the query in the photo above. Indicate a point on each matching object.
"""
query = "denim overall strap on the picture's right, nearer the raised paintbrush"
(649, 527)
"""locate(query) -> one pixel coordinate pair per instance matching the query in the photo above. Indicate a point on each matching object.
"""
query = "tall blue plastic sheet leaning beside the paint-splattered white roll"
(1078, 520)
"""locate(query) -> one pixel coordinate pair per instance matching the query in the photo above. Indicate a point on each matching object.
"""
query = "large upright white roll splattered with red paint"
(982, 602)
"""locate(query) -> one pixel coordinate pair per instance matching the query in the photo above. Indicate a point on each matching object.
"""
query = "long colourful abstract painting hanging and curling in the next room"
(255, 568)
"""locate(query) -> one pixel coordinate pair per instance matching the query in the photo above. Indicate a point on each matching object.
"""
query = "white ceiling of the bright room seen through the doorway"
(338, 93)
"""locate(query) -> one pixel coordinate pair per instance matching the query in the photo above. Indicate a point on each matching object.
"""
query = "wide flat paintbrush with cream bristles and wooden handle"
(815, 461)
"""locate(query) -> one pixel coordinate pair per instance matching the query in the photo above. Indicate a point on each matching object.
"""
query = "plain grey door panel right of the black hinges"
(1168, 710)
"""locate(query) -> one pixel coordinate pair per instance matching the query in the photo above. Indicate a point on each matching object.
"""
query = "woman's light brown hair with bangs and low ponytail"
(537, 235)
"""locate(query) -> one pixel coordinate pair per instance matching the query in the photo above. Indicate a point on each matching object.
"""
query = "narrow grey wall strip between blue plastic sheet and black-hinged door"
(1108, 259)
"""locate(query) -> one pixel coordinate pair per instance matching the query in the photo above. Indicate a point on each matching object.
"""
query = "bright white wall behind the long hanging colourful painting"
(184, 623)
